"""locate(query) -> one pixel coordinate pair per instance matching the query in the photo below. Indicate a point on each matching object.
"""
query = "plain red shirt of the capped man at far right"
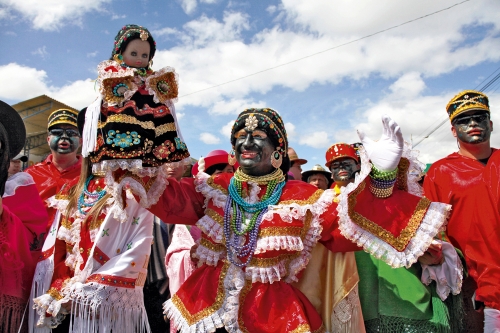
(474, 225)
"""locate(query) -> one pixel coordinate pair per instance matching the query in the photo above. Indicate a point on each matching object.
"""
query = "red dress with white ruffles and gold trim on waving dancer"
(260, 297)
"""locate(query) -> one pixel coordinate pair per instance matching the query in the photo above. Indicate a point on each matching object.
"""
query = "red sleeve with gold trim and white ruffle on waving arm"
(398, 241)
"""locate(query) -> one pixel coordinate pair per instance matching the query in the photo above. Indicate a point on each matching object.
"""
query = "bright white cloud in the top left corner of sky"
(51, 15)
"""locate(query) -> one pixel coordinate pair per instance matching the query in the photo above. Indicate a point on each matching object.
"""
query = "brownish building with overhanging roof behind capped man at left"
(35, 113)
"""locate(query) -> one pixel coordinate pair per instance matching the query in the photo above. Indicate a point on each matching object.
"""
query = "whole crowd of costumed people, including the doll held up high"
(130, 236)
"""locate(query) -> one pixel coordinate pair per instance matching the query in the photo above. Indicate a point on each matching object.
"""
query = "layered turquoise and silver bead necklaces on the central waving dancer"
(236, 207)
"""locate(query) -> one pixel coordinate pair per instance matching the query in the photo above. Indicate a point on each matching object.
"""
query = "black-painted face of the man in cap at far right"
(472, 127)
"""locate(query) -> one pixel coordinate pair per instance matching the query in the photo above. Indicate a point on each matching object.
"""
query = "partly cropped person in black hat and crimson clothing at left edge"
(23, 221)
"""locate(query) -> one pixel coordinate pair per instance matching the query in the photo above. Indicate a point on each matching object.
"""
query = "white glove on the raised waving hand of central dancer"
(386, 152)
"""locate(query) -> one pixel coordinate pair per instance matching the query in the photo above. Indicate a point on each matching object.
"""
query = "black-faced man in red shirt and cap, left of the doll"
(61, 168)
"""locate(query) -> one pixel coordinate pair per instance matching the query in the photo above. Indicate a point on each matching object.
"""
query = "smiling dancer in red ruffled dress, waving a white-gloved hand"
(259, 230)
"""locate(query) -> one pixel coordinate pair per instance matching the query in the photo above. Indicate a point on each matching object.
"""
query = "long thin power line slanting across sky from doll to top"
(329, 49)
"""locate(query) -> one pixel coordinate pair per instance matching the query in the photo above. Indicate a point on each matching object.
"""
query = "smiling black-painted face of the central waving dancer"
(253, 152)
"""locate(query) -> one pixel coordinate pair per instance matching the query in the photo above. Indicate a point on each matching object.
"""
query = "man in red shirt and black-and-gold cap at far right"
(455, 180)
